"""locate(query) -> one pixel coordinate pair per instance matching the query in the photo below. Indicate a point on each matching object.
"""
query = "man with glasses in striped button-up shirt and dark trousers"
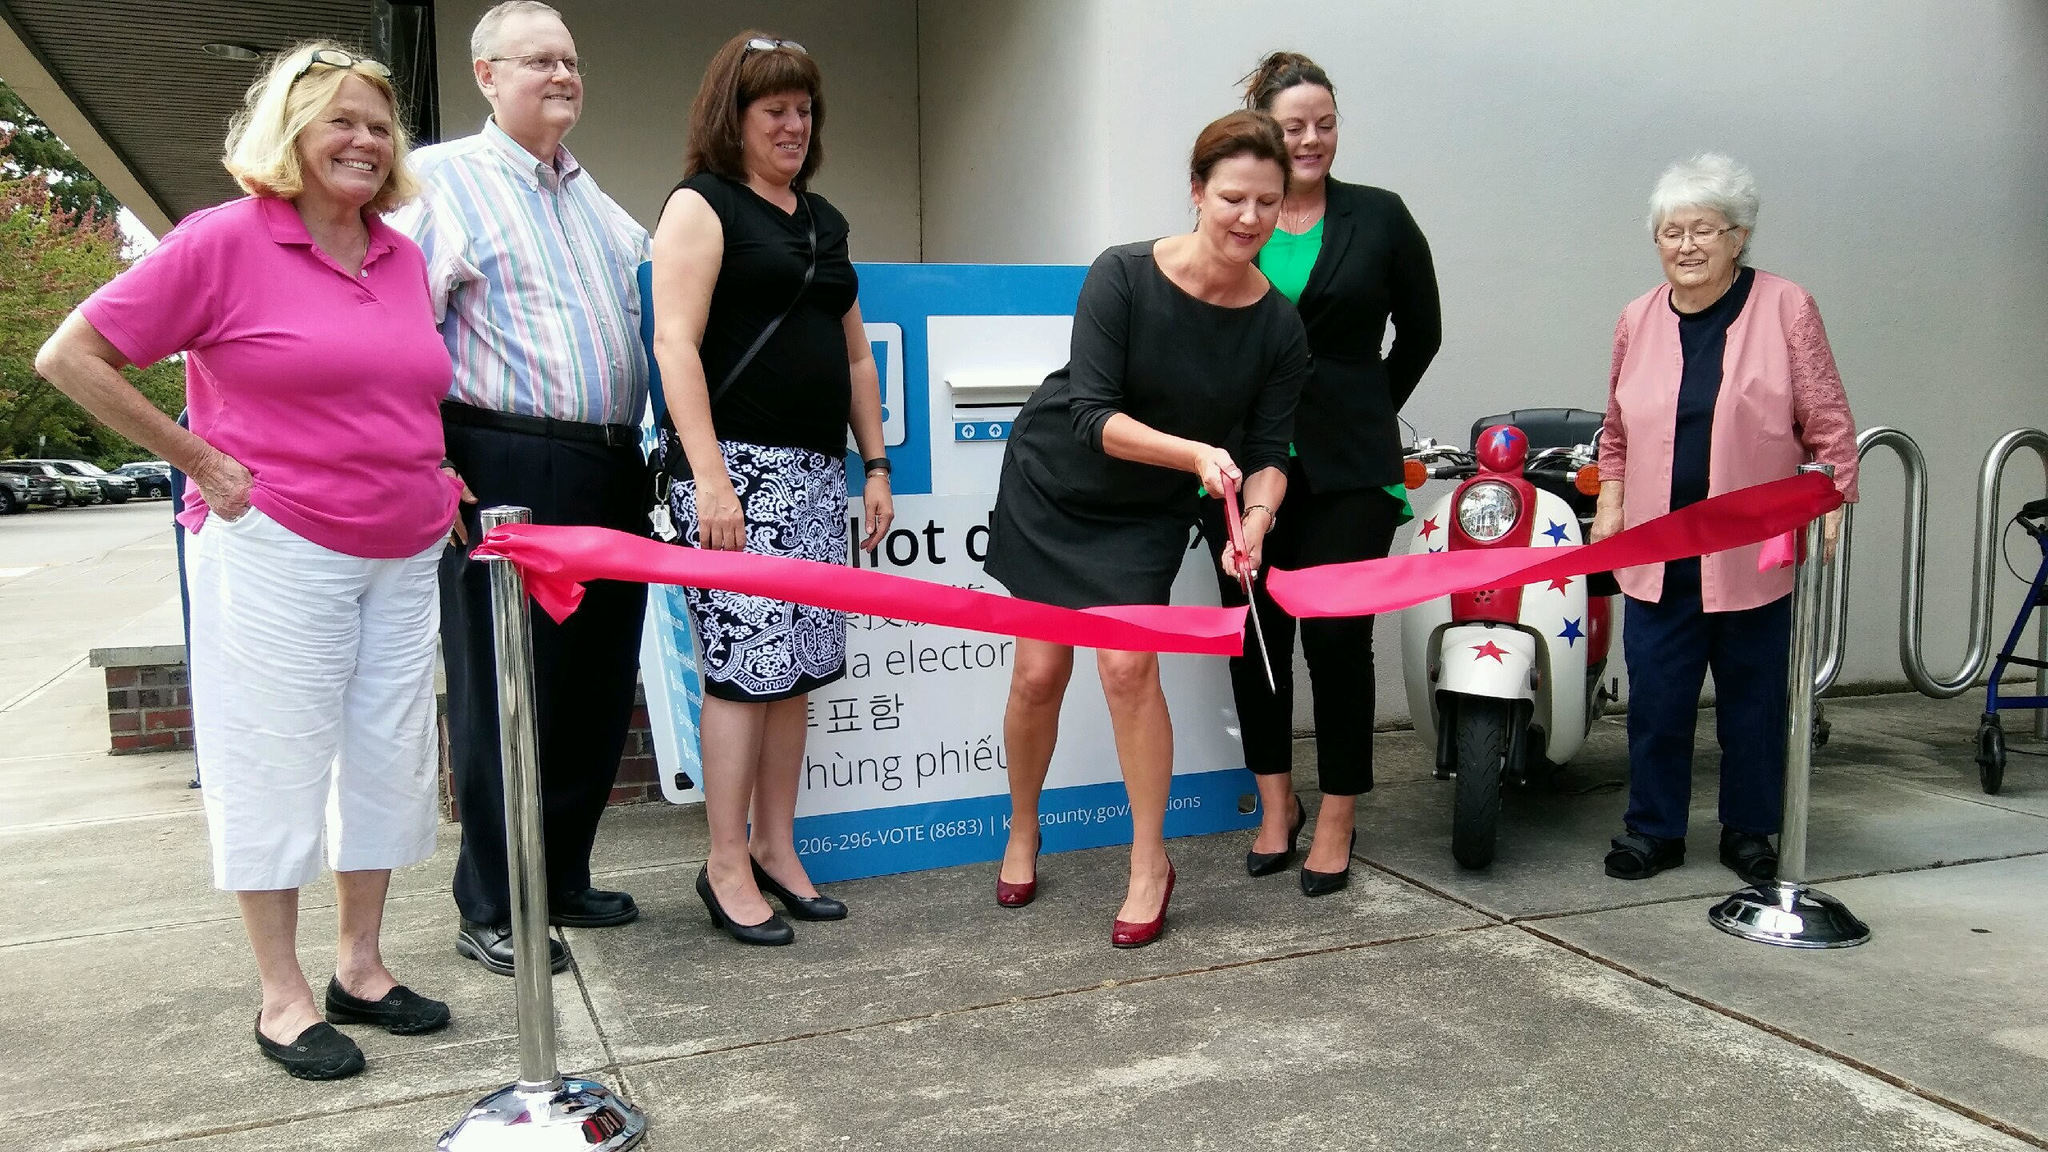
(534, 272)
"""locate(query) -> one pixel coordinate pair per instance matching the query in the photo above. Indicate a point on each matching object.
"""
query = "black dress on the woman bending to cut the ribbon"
(1078, 528)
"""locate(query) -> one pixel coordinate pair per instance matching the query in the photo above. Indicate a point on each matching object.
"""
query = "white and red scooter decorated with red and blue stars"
(1508, 682)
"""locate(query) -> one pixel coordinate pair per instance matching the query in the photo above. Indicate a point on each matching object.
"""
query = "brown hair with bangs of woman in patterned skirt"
(738, 77)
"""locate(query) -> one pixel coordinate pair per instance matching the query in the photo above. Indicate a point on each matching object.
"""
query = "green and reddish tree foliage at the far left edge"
(56, 245)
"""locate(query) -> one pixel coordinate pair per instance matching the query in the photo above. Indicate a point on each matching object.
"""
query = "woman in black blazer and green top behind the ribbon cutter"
(1353, 259)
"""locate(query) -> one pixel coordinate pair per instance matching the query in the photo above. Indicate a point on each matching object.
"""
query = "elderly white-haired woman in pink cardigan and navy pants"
(1721, 380)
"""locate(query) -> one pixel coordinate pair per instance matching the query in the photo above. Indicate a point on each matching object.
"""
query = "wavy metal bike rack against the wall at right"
(1914, 571)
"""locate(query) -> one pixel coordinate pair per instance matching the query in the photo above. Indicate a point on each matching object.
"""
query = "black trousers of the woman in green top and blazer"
(1314, 528)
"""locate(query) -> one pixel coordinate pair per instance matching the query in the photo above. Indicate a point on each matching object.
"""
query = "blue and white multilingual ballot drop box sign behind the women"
(904, 766)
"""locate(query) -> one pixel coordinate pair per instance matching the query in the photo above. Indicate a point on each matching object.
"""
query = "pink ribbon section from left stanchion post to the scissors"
(560, 561)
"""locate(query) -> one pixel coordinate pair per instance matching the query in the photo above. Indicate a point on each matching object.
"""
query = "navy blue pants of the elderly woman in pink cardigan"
(1670, 649)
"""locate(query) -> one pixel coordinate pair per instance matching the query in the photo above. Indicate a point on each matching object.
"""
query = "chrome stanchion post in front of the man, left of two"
(542, 1110)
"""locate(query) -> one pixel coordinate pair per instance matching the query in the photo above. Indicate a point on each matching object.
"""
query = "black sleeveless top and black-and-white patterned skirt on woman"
(783, 436)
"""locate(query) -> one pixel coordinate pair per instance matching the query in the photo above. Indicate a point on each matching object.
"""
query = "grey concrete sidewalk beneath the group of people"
(1537, 1005)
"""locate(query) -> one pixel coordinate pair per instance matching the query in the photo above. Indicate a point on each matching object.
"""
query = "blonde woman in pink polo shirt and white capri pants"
(314, 378)
